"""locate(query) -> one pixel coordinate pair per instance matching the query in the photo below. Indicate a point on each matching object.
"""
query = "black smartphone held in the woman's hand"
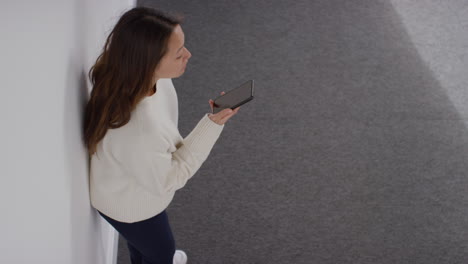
(235, 97)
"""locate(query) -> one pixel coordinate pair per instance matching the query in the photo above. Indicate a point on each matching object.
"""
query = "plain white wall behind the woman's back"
(46, 49)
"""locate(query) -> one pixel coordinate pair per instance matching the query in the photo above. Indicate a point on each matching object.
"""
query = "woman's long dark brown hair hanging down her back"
(123, 73)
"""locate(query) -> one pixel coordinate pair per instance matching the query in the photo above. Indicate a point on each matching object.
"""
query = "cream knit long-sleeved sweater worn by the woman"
(138, 167)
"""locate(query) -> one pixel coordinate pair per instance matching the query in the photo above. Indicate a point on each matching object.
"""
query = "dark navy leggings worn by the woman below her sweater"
(149, 241)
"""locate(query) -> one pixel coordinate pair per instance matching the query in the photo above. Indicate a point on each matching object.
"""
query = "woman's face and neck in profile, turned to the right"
(175, 60)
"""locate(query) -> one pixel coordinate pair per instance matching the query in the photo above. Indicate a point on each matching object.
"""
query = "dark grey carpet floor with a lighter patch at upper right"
(355, 147)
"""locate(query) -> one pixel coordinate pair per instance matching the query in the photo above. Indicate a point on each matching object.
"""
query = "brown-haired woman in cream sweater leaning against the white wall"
(138, 157)
